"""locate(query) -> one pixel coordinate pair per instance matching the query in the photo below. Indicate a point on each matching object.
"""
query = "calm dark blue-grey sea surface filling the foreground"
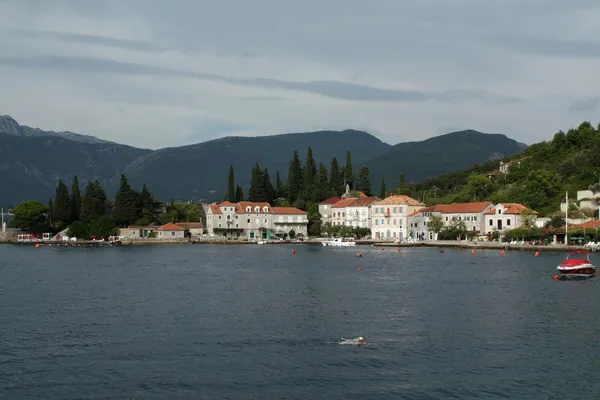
(256, 322)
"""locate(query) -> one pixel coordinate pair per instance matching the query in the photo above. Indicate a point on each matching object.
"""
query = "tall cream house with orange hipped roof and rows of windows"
(389, 219)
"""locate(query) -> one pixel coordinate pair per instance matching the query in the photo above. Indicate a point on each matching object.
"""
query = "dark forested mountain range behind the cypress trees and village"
(33, 160)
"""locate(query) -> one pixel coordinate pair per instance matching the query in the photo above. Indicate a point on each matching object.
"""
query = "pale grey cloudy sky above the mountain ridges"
(154, 73)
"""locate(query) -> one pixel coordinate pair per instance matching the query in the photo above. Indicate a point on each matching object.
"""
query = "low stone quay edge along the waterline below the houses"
(359, 243)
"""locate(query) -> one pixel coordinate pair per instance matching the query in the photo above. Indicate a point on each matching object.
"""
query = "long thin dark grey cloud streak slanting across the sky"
(333, 89)
